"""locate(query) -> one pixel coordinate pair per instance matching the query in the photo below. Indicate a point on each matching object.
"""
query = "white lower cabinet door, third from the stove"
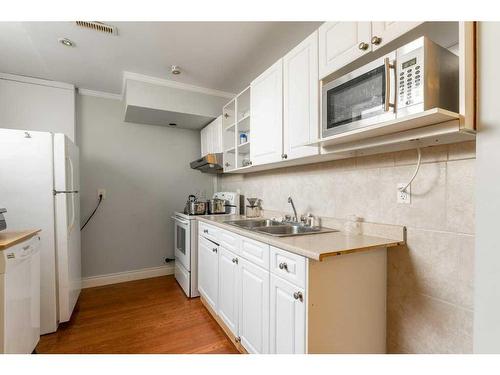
(254, 307)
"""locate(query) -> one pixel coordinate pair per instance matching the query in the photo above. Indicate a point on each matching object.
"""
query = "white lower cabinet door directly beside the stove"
(208, 271)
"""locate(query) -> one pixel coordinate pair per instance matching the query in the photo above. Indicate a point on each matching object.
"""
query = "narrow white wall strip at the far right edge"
(487, 267)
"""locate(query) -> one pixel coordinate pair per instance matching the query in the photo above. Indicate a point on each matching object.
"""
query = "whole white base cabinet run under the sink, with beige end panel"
(270, 300)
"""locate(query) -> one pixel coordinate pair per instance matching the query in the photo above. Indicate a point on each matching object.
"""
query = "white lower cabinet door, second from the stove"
(228, 289)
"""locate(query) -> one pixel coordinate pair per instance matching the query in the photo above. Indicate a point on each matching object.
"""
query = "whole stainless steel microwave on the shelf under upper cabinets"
(414, 78)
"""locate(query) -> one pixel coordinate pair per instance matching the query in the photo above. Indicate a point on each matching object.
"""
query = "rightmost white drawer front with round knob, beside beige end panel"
(289, 266)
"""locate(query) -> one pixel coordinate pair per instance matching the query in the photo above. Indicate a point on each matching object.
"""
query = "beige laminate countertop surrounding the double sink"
(313, 246)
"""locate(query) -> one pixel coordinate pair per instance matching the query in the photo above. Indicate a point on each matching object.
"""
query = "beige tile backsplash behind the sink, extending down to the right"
(430, 280)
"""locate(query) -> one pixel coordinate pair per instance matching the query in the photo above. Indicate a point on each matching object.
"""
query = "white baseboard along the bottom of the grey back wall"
(120, 277)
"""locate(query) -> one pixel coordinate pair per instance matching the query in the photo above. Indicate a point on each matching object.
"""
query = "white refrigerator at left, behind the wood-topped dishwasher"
(39, 187)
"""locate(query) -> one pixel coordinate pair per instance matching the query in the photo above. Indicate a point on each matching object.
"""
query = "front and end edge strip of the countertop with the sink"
(384, 242)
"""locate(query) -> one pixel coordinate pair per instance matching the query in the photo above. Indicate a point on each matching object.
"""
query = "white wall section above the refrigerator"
(34, 104)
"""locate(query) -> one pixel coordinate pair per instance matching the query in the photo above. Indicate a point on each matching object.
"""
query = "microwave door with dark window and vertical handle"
(364, 97)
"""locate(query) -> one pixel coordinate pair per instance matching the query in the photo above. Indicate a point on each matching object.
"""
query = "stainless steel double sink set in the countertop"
(277, 228)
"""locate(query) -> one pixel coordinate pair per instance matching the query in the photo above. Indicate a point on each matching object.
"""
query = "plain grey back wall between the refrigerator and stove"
(145, 171)
